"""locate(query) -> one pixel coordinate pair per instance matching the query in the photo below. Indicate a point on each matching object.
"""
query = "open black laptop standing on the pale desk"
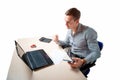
(34, 59)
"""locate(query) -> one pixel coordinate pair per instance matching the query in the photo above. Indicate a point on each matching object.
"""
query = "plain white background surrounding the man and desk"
(32, 18)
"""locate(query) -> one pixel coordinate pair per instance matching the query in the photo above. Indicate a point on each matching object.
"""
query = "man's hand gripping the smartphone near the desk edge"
(77, 62)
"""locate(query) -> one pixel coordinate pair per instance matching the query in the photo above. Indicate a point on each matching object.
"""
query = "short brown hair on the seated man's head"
(73, 12)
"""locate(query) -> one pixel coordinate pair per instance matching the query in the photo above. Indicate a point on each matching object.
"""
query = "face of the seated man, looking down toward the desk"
(70, 22)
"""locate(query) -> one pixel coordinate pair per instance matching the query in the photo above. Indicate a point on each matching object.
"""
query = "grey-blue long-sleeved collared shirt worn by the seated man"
(83, 43)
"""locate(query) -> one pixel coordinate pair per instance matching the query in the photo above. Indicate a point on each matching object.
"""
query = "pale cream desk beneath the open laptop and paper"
(20, 71)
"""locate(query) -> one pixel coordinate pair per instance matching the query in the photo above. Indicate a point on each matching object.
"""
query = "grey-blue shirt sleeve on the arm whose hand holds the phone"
(91, 37)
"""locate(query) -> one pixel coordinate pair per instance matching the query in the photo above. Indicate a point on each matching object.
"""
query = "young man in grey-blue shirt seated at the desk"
(83, 42)
